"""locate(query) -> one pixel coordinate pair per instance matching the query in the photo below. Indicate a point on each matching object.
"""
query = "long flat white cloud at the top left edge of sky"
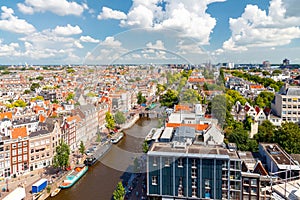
(59, 7)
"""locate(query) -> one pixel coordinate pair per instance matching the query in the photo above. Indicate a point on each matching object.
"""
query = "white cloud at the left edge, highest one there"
(10, 22)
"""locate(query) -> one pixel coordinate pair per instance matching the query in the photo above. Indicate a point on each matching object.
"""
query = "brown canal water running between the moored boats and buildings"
(101, 179)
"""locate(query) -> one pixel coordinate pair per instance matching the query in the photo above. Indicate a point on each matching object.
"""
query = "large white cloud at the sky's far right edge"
(256, 28)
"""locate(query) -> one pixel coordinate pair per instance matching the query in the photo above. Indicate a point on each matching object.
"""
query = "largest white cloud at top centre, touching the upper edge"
(188, 17)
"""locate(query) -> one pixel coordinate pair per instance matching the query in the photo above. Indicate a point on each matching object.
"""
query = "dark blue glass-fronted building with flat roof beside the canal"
(193, 172)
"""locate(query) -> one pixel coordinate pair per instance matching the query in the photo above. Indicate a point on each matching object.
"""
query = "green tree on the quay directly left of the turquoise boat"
(61, 158)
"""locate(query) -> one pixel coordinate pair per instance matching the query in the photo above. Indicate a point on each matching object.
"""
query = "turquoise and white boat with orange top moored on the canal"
(74, 176)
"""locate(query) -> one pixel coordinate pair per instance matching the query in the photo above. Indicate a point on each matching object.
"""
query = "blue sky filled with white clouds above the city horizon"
(104, 32)
